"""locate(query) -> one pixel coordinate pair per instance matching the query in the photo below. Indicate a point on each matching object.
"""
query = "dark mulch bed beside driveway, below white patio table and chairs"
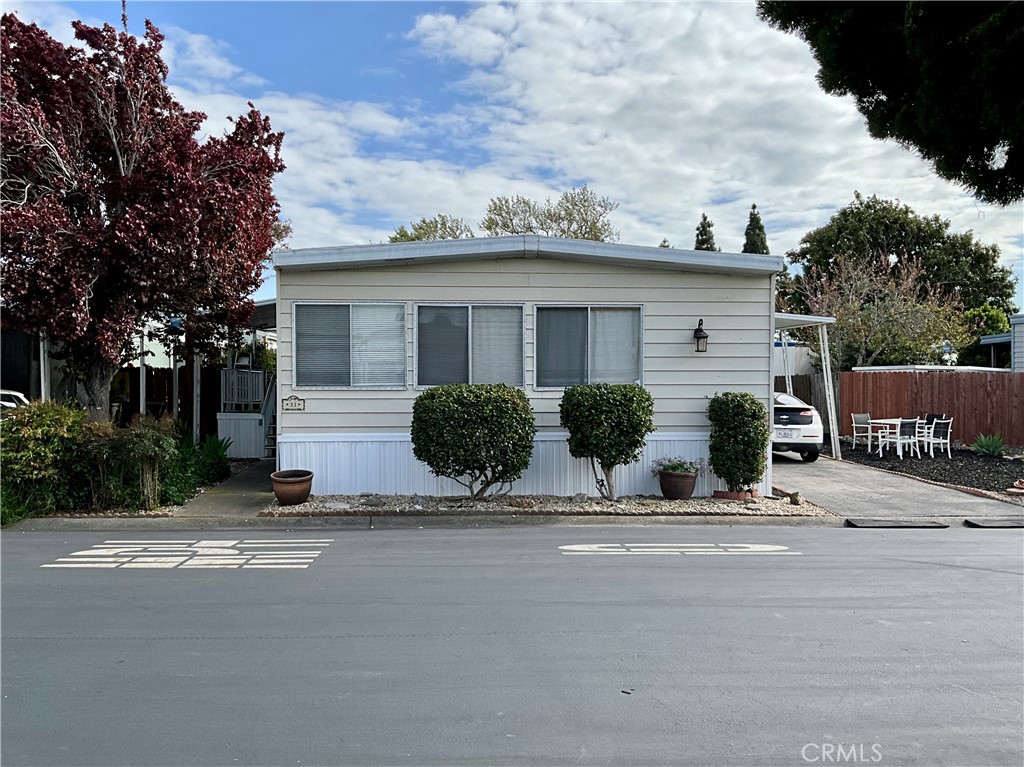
(990, 475)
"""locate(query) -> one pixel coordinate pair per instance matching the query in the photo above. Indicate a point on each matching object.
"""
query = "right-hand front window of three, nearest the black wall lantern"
(587, 345)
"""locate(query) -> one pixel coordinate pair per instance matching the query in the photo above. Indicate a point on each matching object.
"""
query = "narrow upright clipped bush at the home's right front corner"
(740, 436)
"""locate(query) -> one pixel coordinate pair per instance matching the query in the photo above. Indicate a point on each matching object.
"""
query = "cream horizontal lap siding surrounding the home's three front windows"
(737, 311)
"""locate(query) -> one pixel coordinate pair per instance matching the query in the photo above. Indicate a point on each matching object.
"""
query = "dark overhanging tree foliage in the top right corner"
(931, 76)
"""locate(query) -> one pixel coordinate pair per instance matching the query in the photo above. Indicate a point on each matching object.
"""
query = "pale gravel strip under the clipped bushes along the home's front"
(374, 505)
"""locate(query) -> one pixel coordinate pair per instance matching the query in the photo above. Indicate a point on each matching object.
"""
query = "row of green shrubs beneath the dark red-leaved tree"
(55, 460)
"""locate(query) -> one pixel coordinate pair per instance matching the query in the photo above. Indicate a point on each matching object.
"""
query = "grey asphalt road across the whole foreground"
(495, 647)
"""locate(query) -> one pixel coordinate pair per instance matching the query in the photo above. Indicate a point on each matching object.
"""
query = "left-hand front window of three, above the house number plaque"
(342, 346)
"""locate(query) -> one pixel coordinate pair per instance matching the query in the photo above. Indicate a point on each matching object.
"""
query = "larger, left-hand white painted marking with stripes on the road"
(265, 553)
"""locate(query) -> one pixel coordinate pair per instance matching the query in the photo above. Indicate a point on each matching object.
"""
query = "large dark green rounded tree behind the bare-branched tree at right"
(955, 265)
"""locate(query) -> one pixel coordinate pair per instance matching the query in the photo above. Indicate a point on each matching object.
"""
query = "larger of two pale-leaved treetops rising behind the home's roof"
(578, 215)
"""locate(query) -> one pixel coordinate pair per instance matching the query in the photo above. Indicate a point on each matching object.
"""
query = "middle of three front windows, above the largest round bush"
(470, 345)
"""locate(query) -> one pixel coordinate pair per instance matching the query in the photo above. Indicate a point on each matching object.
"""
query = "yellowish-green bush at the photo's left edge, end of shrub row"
(39, 473)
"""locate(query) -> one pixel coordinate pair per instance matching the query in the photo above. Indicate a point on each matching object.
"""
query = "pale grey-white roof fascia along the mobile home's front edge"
(525, 246)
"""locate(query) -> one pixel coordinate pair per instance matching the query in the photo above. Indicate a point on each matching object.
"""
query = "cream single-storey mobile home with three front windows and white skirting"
(363, 330)
